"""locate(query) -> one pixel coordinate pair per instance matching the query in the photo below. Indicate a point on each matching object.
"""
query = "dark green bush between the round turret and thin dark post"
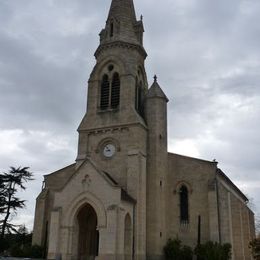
(175, 251)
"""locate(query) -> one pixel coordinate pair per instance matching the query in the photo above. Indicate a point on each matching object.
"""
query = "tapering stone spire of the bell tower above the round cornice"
(122, 25)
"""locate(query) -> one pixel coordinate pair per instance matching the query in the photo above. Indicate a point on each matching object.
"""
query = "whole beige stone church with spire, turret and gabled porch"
(126, 195)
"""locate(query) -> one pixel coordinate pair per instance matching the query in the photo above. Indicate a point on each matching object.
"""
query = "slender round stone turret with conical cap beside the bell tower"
(157, 167)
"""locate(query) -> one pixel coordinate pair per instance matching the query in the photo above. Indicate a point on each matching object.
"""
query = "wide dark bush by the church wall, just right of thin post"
(213, 251)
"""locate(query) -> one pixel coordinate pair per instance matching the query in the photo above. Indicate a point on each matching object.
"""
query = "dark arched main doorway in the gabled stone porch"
(88, 236)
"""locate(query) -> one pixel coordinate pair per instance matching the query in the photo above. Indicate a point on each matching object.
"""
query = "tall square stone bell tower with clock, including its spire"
(113, 132)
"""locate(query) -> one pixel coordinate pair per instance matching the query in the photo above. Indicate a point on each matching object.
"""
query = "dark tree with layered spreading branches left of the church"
(9, 202)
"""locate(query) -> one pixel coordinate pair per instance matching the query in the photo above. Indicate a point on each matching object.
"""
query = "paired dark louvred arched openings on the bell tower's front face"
(110, 92)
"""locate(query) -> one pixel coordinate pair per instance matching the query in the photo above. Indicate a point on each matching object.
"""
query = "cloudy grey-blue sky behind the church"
(205, 53)
